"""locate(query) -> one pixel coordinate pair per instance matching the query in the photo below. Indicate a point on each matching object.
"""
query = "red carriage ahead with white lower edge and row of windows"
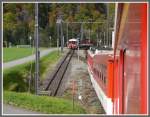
(99, 65)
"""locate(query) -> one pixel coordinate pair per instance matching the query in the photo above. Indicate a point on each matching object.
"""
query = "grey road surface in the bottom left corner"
(9, 109)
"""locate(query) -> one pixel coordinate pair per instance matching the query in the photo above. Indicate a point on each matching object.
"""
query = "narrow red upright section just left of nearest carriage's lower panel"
(119, 83)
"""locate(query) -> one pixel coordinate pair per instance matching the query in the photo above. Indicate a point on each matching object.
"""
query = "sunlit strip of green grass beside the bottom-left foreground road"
(44, 104)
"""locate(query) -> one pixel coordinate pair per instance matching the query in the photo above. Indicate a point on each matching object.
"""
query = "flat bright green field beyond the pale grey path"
(10, 54)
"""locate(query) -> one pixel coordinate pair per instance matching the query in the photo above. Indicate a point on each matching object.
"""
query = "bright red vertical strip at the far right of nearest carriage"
(144, 55)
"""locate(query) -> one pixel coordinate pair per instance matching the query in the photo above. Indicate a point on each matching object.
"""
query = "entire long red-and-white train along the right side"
(119, 77)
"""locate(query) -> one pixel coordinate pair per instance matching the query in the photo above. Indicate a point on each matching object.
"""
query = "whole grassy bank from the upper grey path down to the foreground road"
(15, 80)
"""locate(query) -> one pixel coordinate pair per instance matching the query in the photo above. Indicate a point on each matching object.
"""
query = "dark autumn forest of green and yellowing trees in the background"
(19, 19)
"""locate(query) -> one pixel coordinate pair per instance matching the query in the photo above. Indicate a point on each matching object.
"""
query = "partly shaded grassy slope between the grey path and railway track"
(15, 79)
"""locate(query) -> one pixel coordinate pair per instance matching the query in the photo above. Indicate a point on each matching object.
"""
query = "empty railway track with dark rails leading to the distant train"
(57, 76)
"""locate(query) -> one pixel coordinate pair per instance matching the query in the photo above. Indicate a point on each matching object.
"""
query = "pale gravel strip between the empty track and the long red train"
(83, 87)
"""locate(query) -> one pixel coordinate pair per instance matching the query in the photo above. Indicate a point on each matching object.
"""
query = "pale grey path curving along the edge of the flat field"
(26, 59)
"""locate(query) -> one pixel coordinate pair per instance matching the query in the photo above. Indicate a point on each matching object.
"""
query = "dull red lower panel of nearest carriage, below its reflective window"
(131, 81)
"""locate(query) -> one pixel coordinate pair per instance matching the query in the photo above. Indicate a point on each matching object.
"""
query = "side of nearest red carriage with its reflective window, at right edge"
(132, 40)
